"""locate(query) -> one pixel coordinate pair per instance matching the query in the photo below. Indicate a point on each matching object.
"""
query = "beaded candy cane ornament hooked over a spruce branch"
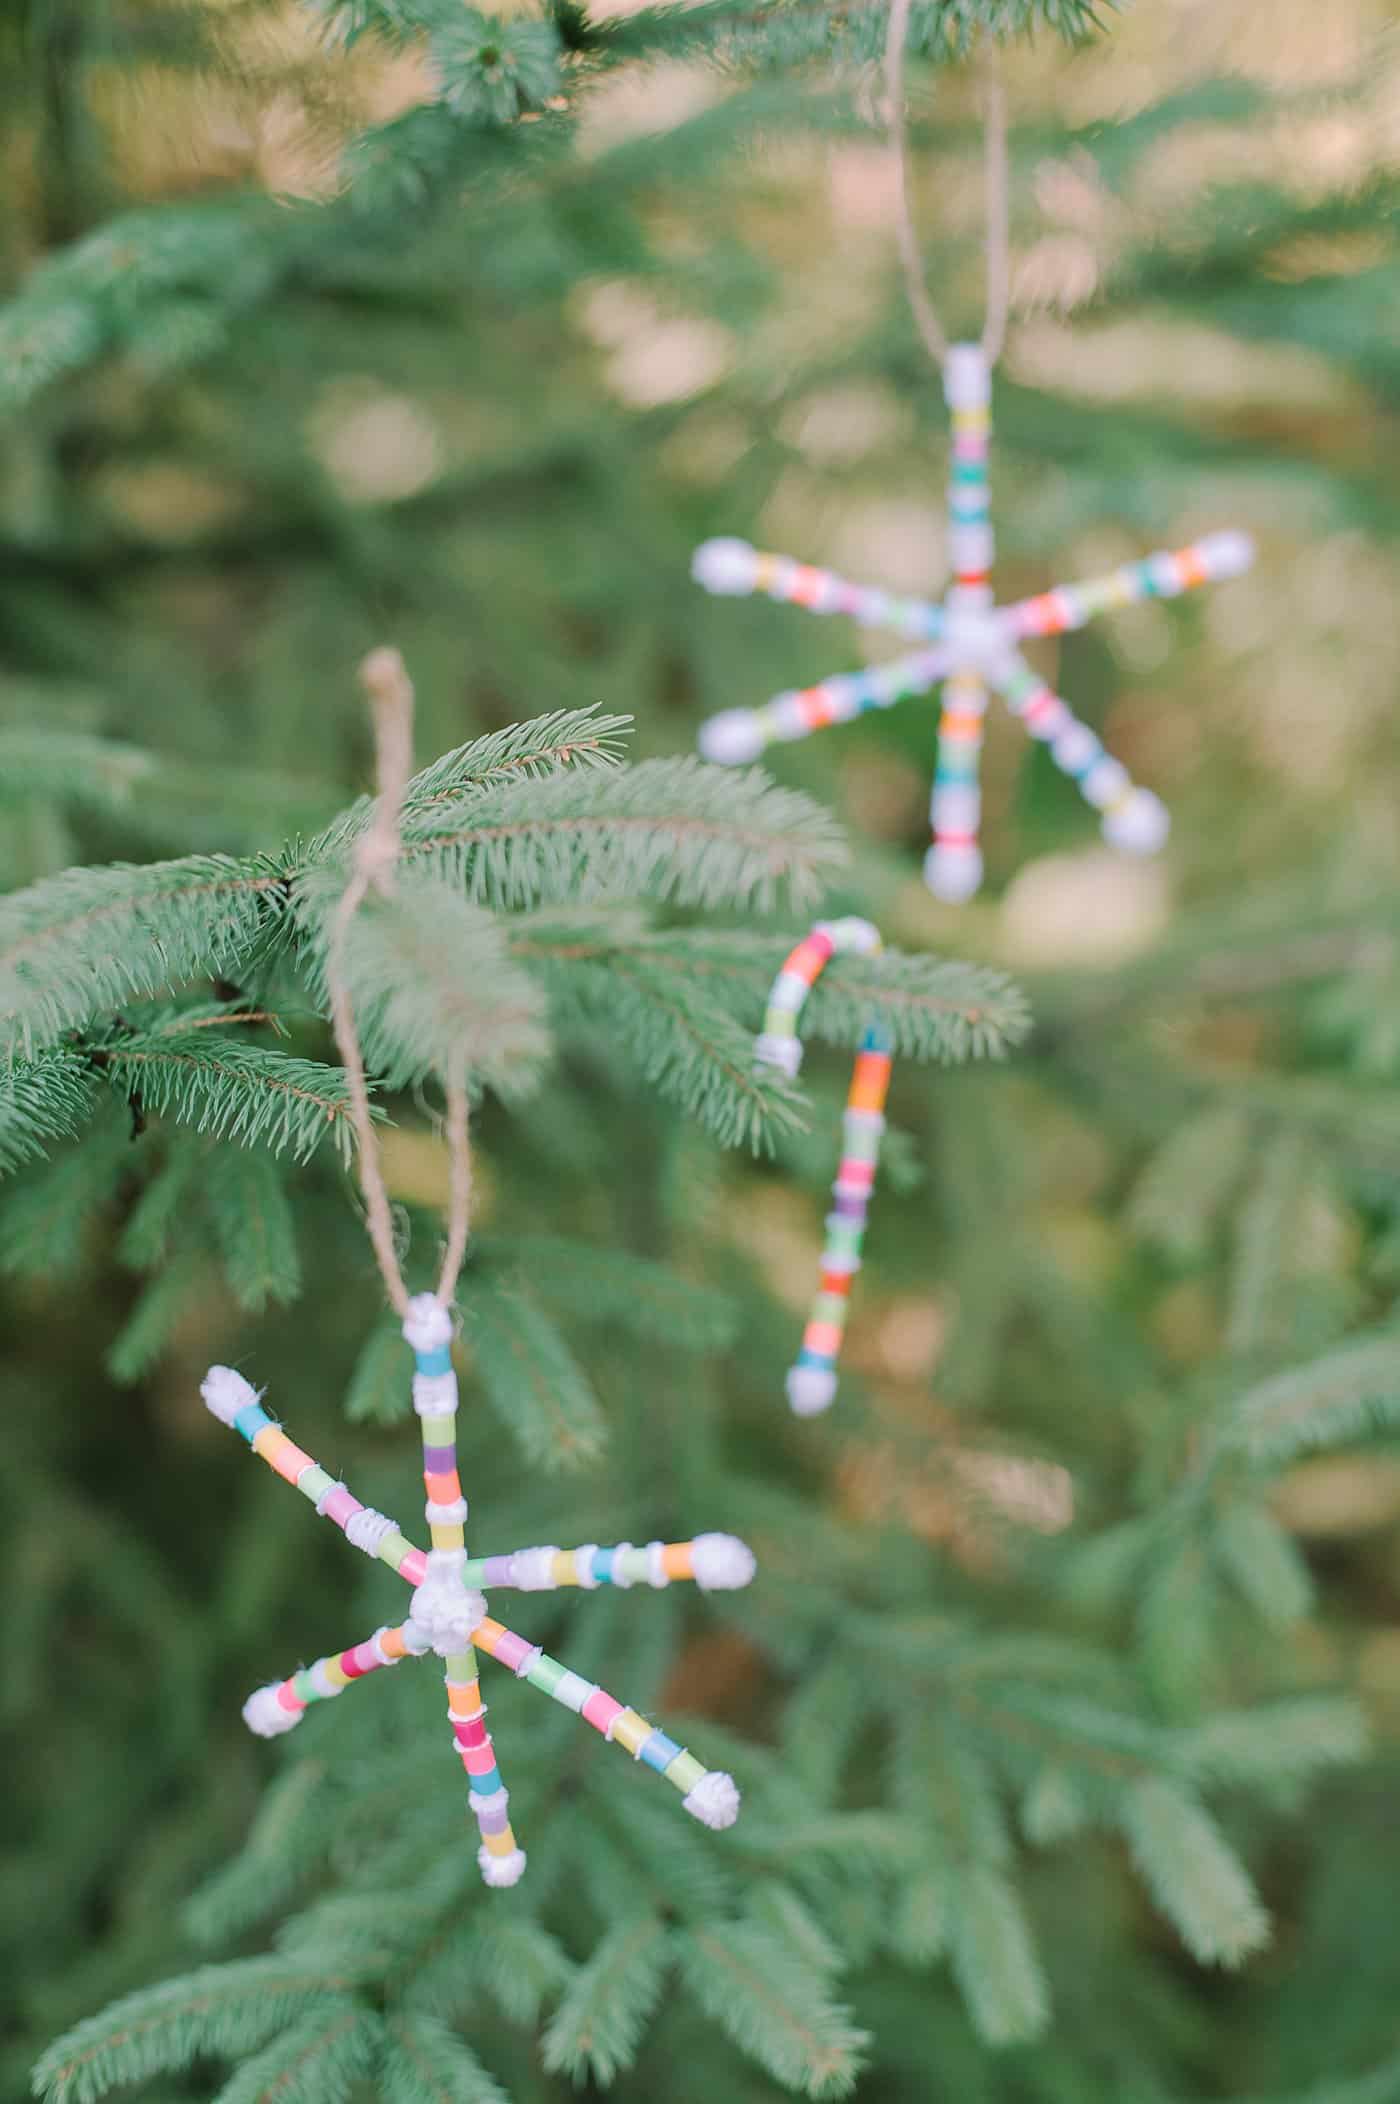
(812, 1381)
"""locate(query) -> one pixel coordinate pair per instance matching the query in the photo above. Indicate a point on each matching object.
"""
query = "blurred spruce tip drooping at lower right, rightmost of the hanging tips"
(1193, 1874)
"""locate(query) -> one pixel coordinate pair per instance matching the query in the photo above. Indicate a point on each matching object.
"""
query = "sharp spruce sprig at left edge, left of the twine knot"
(89, 939)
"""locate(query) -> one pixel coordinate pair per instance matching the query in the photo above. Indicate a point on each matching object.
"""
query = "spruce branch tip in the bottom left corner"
(222, 2010)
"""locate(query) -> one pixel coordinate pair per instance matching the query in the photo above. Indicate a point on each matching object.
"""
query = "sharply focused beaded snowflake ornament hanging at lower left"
(447, 1613)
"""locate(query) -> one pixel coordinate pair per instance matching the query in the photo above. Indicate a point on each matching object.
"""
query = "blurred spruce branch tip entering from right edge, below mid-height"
(1323, 1402)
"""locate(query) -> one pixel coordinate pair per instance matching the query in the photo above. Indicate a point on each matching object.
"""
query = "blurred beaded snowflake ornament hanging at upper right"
(967, 647)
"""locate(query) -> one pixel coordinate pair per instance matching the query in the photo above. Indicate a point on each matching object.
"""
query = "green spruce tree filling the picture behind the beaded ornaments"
(1054, 1699)
